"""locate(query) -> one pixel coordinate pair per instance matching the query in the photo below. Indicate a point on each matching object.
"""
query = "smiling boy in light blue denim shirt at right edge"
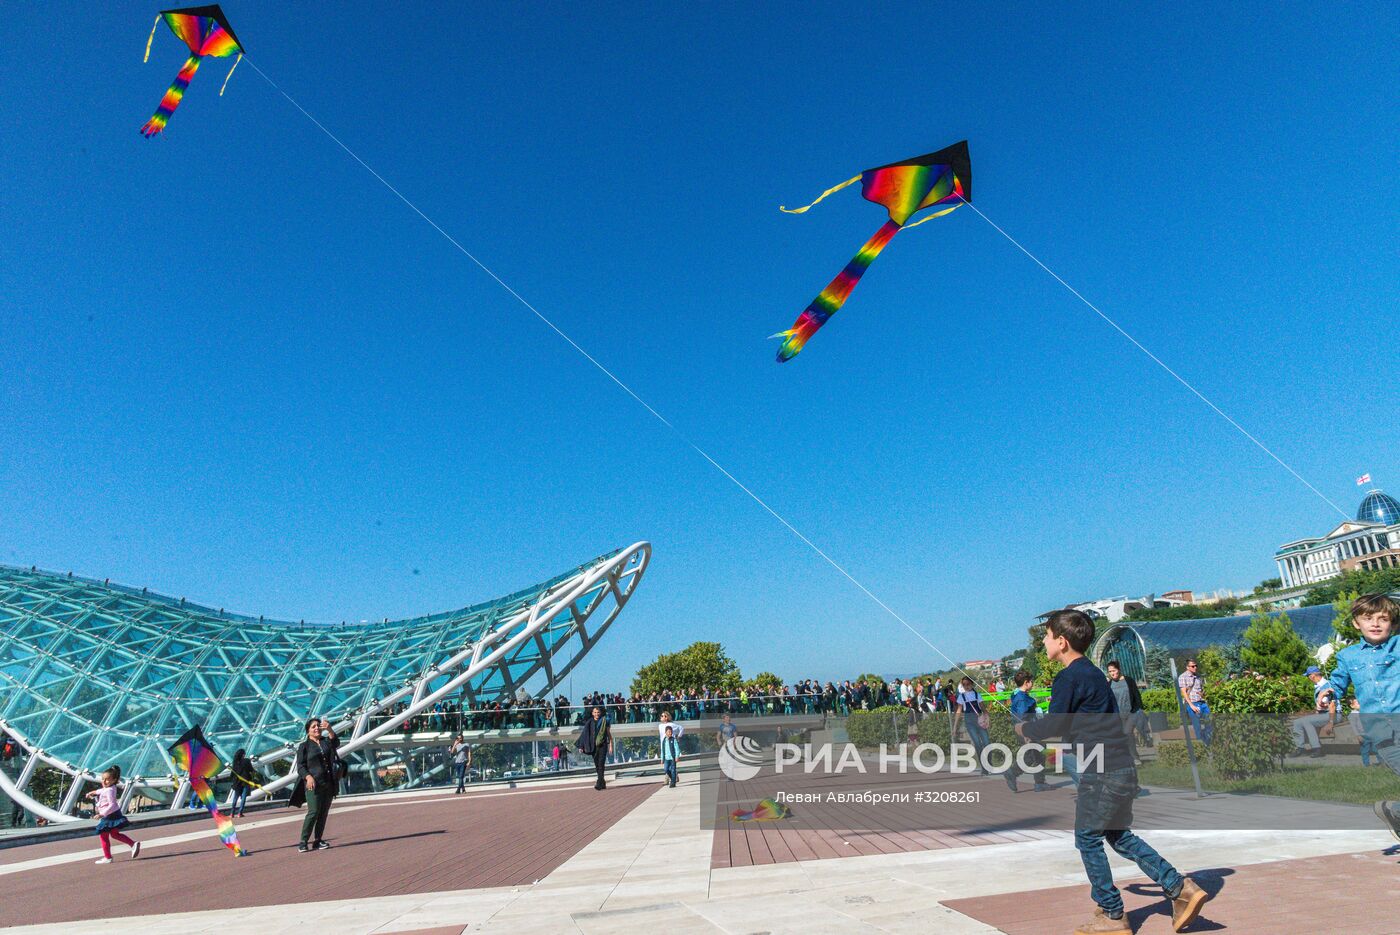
(1373, 667)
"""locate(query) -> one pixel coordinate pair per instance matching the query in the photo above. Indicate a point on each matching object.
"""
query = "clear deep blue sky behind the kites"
(239, 370)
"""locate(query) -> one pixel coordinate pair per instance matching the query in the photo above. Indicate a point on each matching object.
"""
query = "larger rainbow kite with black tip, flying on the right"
(940, 181)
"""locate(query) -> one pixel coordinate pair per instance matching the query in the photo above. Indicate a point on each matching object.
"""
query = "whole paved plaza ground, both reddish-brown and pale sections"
(559, 857)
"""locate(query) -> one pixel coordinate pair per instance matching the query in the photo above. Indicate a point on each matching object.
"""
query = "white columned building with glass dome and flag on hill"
(1371, 541)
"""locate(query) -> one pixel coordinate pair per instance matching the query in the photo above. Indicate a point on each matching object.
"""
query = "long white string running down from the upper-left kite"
(617, 380)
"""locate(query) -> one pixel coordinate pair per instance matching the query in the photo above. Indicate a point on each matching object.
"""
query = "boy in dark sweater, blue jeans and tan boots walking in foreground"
(1084, 712)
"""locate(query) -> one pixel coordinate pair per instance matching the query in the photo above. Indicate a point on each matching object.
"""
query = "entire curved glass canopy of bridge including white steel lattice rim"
(94, 674)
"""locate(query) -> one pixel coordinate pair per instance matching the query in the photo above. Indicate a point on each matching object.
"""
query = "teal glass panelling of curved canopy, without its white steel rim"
(97, 674)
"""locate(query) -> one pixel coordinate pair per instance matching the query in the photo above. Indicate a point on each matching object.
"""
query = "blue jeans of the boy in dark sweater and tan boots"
(1102, 813)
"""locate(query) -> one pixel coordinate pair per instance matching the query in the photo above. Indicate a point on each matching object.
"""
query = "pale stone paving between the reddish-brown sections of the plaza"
(650, 873)
